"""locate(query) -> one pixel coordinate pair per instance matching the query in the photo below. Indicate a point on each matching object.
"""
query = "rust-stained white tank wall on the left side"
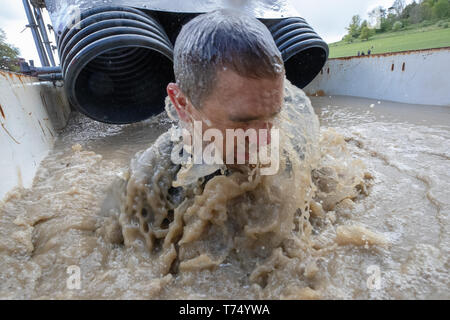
(31, 112)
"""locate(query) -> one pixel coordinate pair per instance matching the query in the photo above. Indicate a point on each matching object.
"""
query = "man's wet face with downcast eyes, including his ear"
(235, 103)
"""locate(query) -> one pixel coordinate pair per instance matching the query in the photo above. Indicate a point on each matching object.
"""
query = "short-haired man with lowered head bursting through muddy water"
(229, 75)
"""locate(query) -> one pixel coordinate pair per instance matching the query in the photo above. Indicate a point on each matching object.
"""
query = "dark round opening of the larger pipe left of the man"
(104, 96)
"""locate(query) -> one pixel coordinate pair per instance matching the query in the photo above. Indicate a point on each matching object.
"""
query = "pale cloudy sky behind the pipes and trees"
(328, 18)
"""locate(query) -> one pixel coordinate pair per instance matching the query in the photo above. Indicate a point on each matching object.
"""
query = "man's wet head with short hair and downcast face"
(229, 72)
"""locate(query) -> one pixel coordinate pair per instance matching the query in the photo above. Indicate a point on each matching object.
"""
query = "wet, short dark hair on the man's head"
(223, 38)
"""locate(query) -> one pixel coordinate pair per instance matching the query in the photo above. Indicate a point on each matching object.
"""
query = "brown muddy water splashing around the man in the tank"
(360, 213)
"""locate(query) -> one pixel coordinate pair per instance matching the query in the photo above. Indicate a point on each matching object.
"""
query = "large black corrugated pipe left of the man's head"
(116, 64)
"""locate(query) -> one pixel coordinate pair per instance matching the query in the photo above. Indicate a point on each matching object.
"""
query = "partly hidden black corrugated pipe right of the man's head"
(304, 52)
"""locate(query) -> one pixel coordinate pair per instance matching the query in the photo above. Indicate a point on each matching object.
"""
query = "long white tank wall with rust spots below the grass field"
(416, 77)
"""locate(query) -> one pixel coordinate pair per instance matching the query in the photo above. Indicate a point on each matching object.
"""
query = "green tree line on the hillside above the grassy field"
(397, 17)
